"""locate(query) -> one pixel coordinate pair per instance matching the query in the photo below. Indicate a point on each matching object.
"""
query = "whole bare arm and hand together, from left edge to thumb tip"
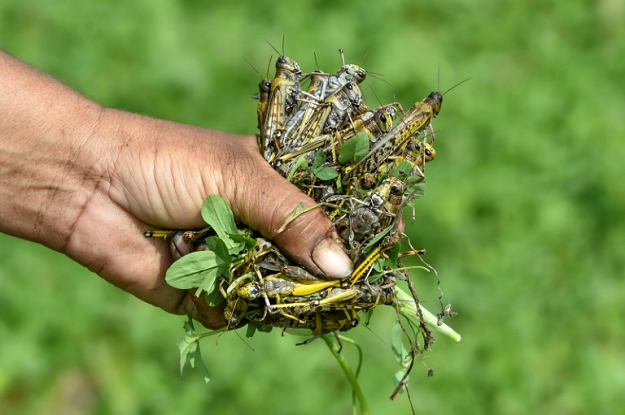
(97, 179)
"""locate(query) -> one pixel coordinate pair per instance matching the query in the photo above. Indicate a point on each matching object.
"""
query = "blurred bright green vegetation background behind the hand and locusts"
(523, 216)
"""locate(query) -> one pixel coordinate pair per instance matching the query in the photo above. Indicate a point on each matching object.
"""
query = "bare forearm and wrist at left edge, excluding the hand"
(48, 164)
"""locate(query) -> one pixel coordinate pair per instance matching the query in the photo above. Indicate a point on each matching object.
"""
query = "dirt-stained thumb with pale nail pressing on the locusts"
(264, 200)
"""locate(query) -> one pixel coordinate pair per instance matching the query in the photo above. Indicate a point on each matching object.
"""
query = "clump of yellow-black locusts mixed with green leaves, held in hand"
(362, 171)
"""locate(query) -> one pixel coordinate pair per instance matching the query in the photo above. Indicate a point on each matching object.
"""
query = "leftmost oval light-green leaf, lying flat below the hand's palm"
(197, 269)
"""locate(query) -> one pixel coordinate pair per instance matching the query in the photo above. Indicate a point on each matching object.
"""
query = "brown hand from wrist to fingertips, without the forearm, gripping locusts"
(161, 175)
